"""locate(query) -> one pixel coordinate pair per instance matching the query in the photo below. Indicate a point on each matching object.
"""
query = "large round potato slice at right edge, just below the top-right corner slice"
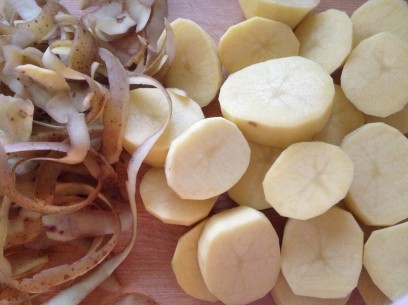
(375, 75)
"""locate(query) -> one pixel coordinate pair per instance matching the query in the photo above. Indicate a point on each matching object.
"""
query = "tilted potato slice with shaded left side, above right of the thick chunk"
(318, 41)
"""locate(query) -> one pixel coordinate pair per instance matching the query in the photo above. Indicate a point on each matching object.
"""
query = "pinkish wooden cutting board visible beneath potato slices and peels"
(149, 263)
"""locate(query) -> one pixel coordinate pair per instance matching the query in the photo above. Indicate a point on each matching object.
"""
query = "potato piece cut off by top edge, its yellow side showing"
(290, 12)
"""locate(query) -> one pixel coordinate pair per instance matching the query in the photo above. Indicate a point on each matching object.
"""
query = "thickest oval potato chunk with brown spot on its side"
(280, 101)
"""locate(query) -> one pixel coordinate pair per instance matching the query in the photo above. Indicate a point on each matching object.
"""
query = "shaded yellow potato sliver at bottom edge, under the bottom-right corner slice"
(370, 292)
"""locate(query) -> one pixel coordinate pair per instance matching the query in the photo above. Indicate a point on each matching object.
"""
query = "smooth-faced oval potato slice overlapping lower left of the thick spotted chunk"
(207, 159)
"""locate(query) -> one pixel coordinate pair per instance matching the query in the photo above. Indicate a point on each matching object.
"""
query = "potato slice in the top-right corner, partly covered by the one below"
(376, 16)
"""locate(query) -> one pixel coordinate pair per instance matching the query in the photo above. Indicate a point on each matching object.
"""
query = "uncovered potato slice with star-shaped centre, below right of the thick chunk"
(307, 179)
